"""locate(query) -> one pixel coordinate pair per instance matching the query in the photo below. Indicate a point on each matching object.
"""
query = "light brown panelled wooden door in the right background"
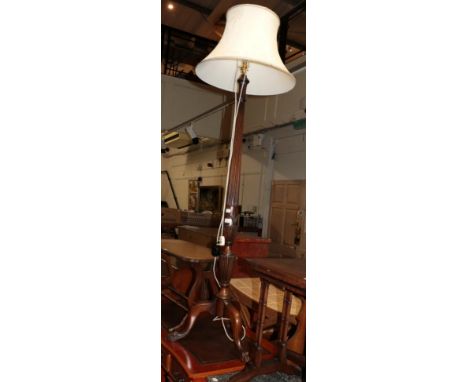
(287, 215)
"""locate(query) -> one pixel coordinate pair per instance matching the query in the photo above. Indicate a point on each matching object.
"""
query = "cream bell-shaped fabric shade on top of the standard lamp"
(249, 36)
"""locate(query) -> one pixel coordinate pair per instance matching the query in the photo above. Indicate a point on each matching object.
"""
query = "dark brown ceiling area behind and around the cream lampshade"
(206, 19)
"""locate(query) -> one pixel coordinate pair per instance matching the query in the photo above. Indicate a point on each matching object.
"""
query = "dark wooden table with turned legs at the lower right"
(289, 275)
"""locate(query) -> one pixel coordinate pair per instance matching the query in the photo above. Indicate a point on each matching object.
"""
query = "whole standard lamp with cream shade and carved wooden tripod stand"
(245, 61)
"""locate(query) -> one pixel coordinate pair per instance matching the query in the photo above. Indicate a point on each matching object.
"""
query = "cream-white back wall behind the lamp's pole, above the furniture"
(183, 100)
